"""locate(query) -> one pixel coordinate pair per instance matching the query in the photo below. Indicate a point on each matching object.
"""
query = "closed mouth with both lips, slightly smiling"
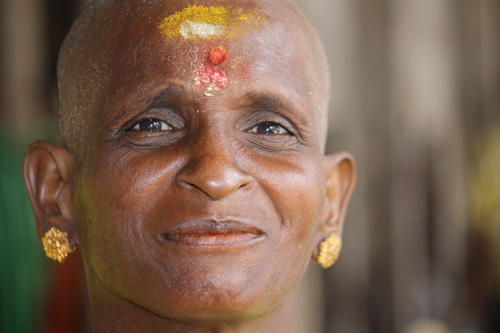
(208, 233)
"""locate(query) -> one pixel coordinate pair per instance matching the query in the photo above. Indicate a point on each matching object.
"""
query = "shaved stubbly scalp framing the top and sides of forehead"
(92, 47)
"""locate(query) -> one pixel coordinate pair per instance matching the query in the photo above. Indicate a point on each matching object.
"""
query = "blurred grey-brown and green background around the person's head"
(415, 97)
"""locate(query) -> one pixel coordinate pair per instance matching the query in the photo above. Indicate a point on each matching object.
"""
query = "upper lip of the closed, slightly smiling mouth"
(213, 227)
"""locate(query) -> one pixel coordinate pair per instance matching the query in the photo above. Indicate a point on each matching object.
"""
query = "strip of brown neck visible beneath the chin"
(111, 313)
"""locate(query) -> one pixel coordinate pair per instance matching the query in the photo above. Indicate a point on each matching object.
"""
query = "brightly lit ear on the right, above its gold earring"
(340, 179)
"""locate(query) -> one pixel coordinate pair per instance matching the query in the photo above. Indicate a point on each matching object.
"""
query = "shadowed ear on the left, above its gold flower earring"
(48, 176)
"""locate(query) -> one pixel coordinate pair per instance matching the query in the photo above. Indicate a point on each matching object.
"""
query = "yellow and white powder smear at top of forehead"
(209, 22)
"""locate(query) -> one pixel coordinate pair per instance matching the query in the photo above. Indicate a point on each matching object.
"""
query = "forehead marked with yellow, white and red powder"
(171, 45)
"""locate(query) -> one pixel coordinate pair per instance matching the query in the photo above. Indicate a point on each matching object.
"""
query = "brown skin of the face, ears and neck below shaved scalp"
(196, 213)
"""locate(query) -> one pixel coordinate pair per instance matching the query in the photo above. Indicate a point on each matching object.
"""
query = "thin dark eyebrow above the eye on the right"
(275, 103)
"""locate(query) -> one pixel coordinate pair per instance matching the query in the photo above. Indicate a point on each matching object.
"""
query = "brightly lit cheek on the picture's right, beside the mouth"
(298, 193)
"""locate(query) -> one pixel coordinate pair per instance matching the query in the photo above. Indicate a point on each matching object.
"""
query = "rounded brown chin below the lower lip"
(215, 299)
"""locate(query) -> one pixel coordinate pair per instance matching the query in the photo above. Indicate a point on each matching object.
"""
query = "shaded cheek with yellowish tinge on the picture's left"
(110, 205)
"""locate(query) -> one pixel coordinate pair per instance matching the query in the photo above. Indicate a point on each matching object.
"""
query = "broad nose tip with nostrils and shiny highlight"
(215, 173)
